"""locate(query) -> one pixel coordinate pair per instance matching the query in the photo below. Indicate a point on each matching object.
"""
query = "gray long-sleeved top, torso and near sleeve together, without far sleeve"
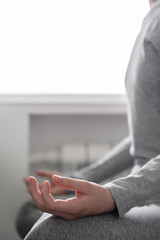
(143, 89)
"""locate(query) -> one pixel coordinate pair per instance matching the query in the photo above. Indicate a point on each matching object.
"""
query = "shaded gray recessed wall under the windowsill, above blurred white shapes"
(47, 131)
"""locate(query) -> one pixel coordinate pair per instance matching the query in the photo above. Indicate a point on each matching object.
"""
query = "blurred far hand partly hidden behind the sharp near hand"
(54, 190)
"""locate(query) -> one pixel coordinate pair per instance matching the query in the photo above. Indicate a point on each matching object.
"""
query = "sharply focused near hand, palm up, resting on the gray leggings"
(90, 198)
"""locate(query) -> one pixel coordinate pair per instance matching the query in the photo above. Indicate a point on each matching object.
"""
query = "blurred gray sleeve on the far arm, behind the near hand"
(117, 160)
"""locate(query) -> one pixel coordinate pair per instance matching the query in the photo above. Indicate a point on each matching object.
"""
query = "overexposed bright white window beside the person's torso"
(67, 46)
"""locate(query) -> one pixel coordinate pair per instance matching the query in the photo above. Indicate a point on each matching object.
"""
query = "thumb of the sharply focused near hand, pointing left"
(71, 183)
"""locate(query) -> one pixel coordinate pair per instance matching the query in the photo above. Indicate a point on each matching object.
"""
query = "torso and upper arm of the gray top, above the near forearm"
(143, 90)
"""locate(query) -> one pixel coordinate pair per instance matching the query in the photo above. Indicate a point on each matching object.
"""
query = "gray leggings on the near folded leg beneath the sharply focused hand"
(139, 223)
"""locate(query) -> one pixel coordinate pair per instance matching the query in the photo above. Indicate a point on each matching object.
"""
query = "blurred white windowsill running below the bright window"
(63, 104)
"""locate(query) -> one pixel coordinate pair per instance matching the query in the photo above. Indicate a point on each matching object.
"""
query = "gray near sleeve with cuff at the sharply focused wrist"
(139, 188)
